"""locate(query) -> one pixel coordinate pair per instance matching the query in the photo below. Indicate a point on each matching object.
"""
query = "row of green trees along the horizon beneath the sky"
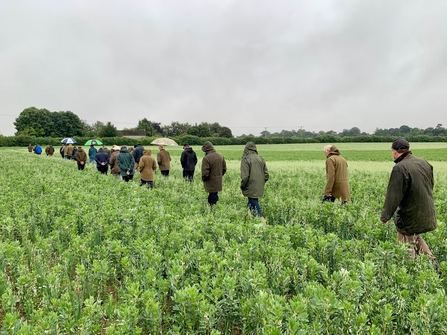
(35, 122)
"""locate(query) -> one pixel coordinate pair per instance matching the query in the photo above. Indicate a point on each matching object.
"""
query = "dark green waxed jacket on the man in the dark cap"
(410, 195)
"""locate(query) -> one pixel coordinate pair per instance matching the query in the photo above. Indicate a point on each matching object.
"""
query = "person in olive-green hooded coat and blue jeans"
(254, 175)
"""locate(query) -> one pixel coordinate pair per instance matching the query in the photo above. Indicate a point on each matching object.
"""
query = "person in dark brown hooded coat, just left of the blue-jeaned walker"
(213, 169)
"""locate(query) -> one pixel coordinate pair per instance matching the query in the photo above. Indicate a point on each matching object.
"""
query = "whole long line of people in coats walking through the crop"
(409, 195)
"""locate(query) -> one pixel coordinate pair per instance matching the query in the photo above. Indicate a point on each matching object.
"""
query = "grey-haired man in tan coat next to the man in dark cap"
(337, 183)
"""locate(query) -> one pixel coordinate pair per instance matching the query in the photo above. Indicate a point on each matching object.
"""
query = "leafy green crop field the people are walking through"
(84, 253)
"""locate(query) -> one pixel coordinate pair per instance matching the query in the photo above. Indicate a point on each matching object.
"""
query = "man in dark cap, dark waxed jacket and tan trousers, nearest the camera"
(410, 197)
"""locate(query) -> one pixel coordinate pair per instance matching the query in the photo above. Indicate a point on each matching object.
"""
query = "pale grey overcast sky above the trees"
(249, 65)
